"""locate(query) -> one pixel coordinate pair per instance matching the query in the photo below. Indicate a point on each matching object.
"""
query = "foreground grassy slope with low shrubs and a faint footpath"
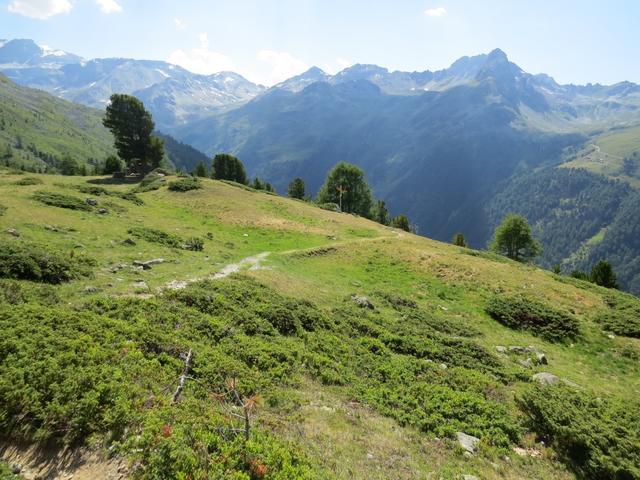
(357, 351)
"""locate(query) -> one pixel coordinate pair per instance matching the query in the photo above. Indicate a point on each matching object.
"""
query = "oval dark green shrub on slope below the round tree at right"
(524, 313)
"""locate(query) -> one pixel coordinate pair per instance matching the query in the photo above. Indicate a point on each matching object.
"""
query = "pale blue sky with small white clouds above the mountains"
(267, 41)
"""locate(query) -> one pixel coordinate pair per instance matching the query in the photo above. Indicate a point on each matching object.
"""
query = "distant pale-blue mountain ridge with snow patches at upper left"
(174, 94)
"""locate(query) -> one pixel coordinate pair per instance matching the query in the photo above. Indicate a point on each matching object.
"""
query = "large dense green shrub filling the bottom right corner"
(598, 438)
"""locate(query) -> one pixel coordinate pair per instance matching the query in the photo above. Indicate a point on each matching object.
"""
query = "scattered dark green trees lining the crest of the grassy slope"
(345, 188)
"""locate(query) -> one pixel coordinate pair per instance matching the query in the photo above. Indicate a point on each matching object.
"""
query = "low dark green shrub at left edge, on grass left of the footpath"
(29, 262)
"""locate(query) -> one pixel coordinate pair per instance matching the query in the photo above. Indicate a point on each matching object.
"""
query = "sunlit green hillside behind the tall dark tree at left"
(39, 130)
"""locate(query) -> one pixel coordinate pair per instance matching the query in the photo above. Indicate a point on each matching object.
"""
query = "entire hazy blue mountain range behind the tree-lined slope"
(455, 149)
